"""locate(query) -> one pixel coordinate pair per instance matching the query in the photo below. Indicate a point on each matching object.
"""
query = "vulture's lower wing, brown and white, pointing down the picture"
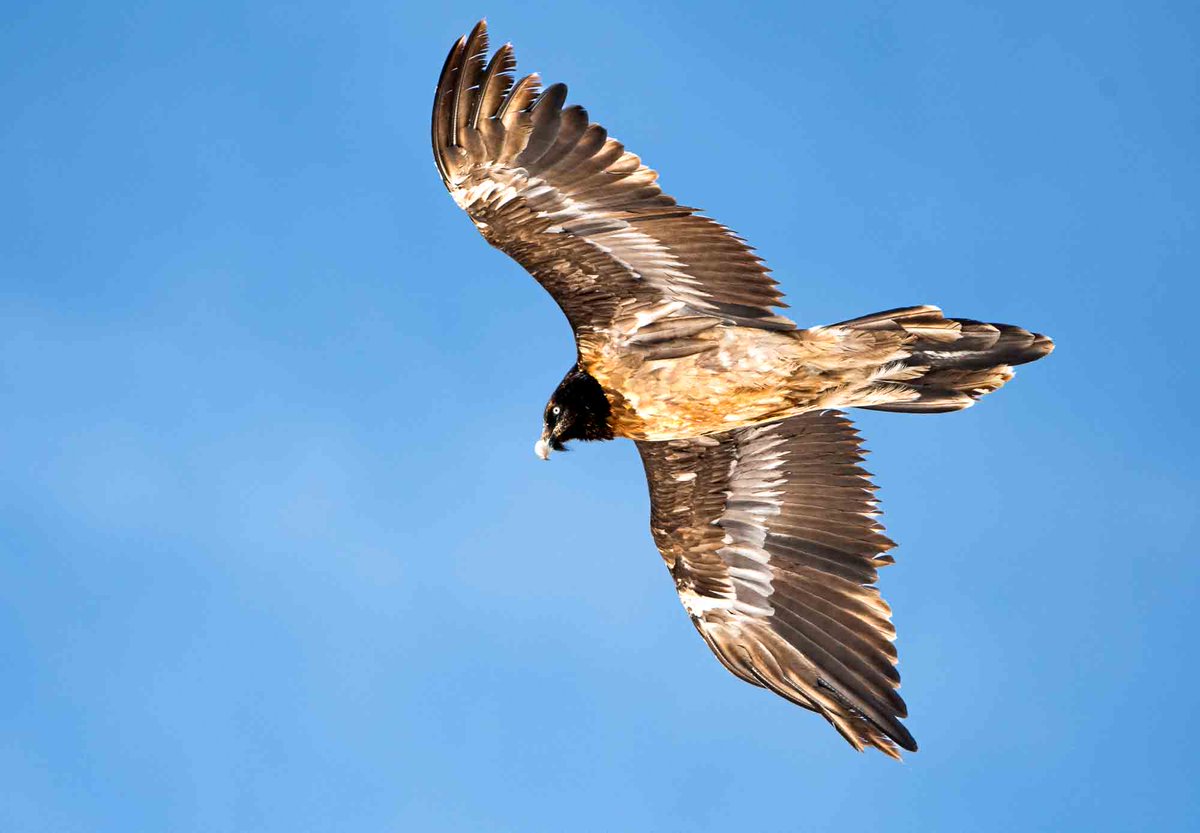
(771, 538)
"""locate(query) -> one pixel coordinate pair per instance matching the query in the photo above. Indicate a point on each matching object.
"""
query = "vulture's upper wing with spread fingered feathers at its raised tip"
(578, 211)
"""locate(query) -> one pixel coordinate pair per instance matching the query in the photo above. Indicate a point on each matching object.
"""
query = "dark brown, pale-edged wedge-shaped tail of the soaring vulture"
(944, 364)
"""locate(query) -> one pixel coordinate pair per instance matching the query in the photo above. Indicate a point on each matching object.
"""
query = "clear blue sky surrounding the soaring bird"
(277, 554)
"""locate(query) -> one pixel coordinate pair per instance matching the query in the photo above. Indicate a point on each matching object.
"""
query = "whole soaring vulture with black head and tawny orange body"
(758, 502)
